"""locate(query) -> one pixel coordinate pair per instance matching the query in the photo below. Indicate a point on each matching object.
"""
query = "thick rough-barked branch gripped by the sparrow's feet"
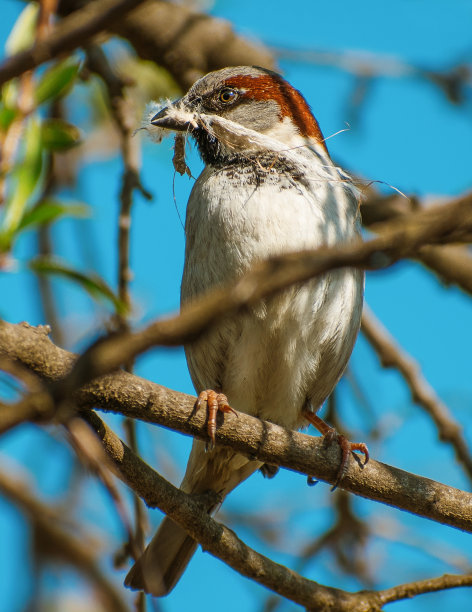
(139, 398)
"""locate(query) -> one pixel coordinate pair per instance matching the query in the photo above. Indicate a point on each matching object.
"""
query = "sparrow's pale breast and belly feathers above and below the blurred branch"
(270, 356)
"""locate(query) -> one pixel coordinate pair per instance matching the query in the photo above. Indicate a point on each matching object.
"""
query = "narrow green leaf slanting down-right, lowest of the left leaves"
(93, 284)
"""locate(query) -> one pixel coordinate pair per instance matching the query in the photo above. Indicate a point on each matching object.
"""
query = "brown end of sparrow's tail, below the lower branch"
(164, 560)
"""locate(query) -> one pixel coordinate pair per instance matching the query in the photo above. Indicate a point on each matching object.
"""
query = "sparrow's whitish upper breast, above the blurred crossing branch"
(237, 216)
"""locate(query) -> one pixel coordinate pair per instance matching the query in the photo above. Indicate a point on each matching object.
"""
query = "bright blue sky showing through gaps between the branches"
(407, 136)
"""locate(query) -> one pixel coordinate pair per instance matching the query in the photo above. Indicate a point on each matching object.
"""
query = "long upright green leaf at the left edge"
(26, 177)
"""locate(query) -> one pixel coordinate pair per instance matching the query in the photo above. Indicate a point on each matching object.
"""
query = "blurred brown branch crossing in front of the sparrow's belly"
(400, 238)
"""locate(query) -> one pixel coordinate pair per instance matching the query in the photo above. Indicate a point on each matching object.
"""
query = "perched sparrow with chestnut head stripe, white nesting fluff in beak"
(268, 187)
